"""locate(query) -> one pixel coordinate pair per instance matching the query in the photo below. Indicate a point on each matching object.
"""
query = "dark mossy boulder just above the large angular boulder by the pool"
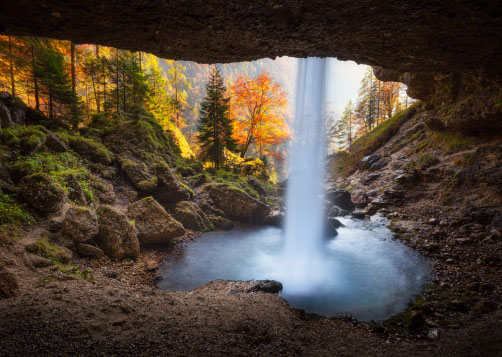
(170, 189)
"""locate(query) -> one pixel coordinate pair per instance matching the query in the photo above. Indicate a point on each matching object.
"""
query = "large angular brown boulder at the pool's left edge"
(153, 223)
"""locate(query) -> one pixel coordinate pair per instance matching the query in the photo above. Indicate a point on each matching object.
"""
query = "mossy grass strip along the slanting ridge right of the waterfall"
(346, 162)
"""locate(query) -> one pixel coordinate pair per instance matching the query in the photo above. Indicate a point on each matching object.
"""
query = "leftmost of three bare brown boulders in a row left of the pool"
(80, 225)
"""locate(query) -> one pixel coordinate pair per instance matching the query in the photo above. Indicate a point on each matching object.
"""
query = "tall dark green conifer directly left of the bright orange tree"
(215, 126)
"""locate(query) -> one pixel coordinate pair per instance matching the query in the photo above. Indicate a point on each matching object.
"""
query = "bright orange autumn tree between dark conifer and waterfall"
(256, 108)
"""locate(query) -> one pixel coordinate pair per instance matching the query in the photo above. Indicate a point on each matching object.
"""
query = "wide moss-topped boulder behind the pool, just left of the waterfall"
(237, 204)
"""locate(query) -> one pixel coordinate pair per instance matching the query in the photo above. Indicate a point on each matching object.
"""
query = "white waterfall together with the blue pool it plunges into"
(362, 272)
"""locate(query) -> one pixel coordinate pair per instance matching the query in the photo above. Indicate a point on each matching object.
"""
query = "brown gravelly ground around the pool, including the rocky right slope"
(446, 213)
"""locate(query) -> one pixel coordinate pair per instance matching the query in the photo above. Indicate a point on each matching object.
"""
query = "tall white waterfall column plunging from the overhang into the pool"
(304, 223)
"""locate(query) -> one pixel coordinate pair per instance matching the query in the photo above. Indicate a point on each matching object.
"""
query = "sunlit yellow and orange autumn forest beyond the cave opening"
(77, 83)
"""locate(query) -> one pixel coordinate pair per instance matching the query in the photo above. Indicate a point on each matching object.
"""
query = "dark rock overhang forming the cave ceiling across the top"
(438, 36)
